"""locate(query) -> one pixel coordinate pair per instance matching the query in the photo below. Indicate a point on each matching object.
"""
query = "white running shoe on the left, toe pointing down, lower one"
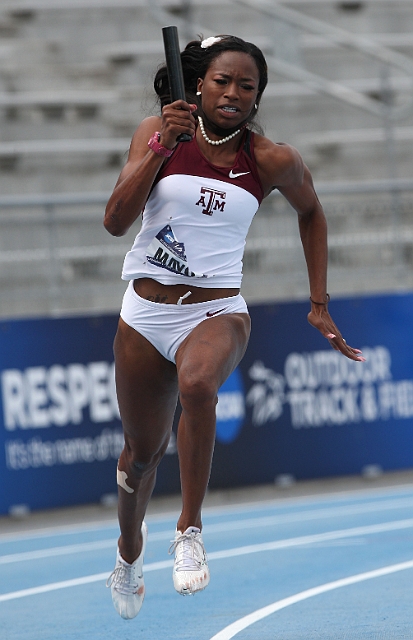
(126, 583)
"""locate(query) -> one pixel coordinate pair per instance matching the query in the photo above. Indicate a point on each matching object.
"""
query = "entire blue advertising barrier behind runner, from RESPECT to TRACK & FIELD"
(294, 407)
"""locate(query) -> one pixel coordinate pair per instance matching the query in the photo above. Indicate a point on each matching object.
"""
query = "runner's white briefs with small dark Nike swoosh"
(165, 326)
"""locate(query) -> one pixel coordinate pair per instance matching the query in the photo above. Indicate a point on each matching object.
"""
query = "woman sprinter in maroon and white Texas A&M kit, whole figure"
(184, 325)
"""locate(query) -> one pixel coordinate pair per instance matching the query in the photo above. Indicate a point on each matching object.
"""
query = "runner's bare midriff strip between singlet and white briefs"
(170, 294)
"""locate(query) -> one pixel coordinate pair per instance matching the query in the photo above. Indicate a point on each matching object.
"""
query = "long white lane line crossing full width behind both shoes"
(219, 555)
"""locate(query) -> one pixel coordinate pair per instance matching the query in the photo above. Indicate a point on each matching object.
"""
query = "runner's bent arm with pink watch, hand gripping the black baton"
(136, 178)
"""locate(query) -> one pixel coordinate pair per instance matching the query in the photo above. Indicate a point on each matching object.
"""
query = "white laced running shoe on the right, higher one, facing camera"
(190, 573)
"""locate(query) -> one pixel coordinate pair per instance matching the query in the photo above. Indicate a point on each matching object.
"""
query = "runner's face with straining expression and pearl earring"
(230, 88)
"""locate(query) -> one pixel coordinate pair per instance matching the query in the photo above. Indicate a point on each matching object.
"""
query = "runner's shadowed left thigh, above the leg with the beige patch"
(146, 384)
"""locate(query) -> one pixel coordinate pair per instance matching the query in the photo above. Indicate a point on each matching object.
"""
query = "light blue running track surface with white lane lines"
(332, 567)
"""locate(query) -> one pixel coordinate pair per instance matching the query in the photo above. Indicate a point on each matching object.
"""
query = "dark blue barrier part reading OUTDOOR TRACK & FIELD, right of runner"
(309, 411)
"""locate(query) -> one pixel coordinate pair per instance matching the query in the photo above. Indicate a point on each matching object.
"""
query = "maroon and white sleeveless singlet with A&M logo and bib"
(196, 220)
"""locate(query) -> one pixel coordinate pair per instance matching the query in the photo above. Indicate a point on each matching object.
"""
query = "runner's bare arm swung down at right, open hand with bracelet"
(294, 181)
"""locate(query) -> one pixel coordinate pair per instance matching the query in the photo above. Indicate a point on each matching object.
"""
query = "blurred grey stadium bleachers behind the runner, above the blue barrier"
(76, 79)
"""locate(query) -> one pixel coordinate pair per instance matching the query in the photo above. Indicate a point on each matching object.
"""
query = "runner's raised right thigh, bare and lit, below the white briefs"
(214, 348)
